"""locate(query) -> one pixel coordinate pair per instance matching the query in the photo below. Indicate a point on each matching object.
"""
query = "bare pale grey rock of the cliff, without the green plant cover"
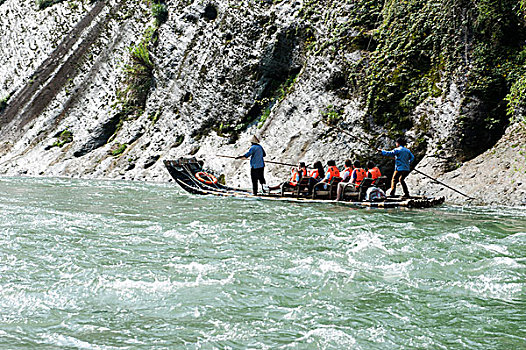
(221, 72)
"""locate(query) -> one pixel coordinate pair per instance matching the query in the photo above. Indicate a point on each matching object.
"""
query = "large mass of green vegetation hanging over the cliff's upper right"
(415, 49)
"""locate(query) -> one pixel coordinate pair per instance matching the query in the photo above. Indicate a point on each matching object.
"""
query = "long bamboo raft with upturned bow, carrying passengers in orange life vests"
(186, 173)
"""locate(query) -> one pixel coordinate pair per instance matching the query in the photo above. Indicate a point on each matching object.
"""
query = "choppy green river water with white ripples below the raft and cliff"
(121, 265)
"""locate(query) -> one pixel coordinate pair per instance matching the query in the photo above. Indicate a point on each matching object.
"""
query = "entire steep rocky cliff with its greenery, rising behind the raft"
(111, 88)
